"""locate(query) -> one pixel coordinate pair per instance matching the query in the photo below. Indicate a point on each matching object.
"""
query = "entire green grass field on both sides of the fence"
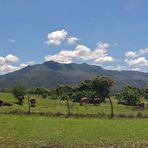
(60, 132)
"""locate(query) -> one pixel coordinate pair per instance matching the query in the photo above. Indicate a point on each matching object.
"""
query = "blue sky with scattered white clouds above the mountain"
(112, 34)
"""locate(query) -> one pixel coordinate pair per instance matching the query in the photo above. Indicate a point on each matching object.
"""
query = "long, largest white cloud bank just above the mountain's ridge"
(98, 55)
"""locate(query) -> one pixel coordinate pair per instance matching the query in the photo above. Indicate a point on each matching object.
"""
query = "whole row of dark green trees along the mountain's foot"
(99, 87)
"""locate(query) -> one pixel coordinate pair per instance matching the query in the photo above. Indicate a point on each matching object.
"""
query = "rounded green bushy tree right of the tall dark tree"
(130, 95)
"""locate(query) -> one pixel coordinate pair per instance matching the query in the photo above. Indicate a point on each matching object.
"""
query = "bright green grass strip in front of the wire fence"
(40, 131)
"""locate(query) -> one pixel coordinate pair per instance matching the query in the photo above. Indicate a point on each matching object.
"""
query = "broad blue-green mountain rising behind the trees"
(50, 74)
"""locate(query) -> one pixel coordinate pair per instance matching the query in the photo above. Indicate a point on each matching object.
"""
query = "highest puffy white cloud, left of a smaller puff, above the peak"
(56, 37)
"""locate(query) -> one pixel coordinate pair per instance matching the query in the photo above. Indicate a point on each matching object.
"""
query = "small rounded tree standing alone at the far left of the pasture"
(19, 93)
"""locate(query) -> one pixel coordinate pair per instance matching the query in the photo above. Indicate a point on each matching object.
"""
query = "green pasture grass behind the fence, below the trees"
(55, 107)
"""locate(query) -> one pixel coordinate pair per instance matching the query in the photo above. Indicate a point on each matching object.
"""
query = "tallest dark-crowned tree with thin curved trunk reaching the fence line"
(102, 86)
